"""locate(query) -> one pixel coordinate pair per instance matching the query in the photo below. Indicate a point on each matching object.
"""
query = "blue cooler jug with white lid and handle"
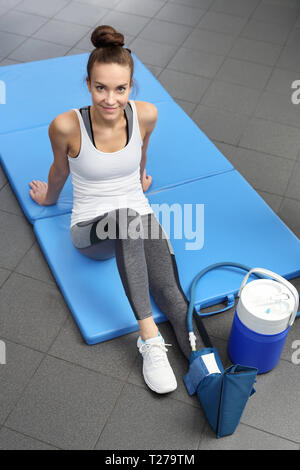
(265, 311)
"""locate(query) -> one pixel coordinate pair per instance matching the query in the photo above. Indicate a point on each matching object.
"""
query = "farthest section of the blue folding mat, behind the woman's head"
(38, 91)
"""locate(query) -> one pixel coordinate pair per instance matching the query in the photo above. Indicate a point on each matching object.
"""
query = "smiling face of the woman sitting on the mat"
(110, 89)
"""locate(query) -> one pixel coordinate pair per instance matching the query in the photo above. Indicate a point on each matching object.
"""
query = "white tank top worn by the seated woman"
(107, 181)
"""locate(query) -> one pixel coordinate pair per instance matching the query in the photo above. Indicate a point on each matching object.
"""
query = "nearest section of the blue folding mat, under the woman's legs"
(238, 226)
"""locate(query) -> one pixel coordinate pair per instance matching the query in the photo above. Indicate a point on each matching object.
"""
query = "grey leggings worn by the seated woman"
(145, 261)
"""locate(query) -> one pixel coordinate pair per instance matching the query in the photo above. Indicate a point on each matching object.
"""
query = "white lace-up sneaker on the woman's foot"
(158, 373)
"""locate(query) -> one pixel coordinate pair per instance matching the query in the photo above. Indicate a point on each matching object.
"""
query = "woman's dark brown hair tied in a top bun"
(109, 49)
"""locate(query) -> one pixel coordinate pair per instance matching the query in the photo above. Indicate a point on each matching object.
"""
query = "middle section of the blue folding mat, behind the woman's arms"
(27, 155)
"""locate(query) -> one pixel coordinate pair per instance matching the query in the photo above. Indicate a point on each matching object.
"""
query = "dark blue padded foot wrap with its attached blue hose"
(223, 394)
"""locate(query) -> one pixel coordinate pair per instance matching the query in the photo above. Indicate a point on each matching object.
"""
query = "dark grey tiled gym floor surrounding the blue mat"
(230, 65)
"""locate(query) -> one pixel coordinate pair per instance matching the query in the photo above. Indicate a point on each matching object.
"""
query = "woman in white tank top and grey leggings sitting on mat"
(104, 147)
